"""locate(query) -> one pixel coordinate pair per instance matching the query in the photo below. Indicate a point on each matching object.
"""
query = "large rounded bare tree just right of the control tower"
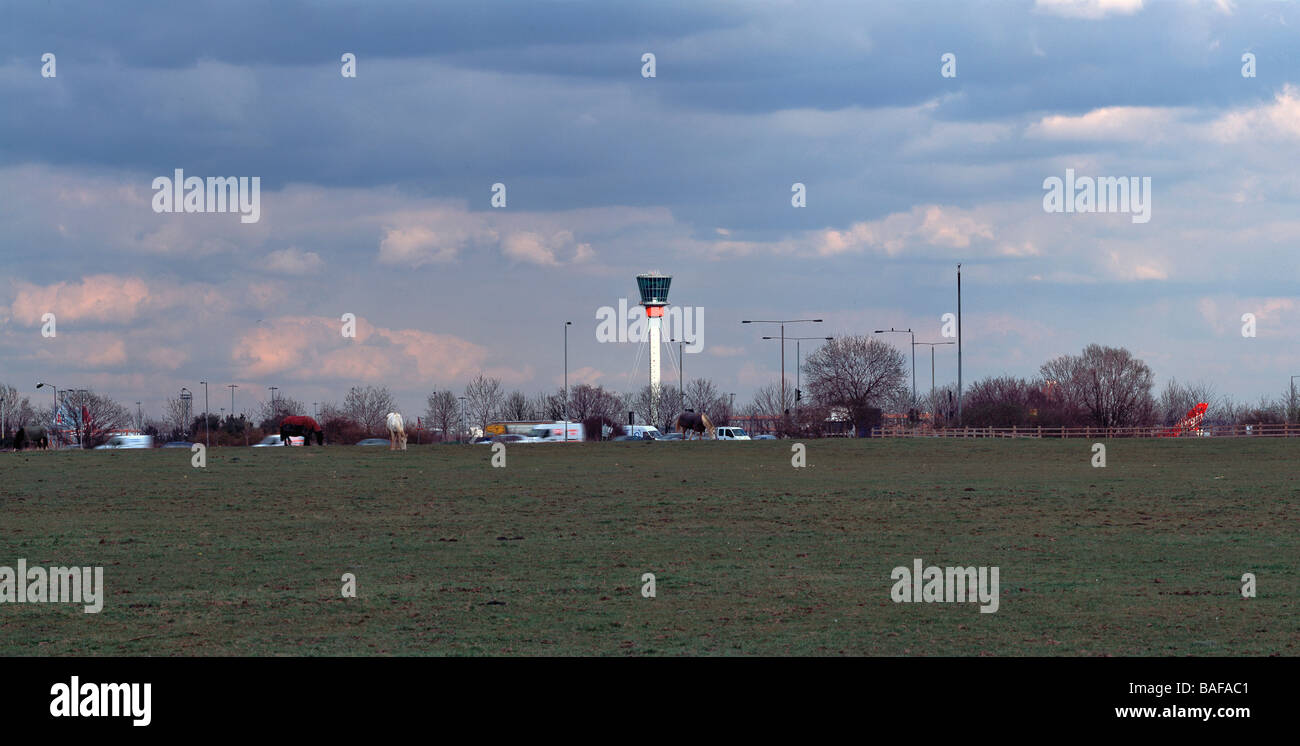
(853, 372)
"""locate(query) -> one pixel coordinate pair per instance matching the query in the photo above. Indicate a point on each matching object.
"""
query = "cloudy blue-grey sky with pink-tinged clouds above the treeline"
(376, 190)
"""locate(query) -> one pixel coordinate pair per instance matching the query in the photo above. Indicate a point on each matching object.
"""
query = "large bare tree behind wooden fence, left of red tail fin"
(1108, 383)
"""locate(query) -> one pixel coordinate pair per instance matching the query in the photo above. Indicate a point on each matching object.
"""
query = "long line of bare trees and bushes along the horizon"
(847, 385)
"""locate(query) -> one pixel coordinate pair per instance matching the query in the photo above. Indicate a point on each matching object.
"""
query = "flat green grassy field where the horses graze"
(752, 557)
